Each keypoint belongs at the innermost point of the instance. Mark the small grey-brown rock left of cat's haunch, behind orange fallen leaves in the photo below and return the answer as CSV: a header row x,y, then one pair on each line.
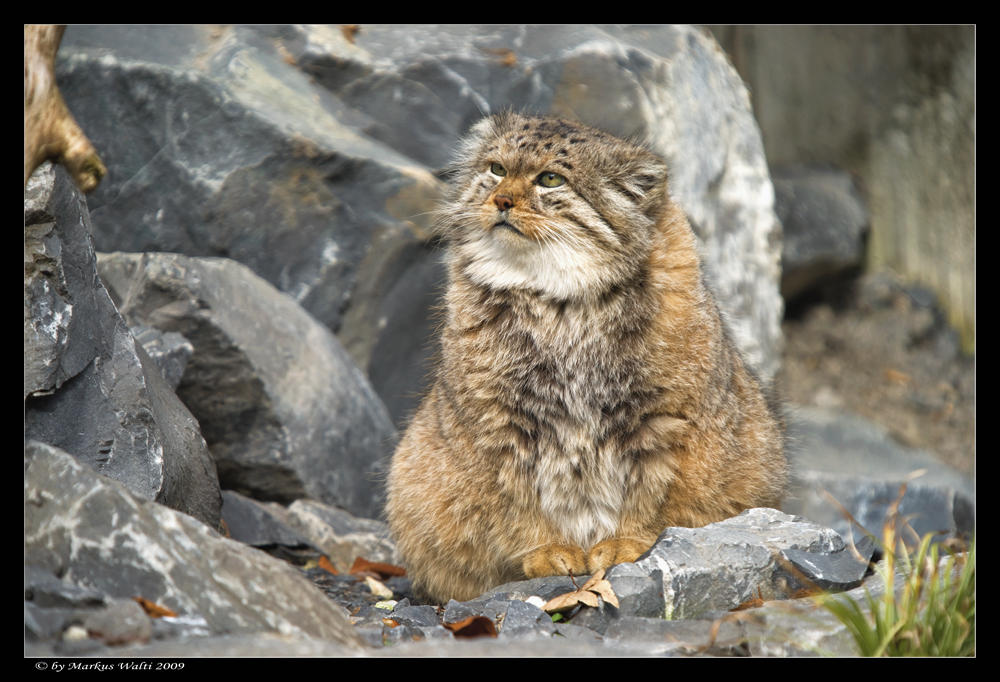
x,y
341,536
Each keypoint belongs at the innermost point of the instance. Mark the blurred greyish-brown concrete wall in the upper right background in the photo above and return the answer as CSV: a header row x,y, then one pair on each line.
x,y
894,105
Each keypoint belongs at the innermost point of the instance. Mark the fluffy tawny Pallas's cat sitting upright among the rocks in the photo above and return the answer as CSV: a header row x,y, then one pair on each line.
x,y
587,394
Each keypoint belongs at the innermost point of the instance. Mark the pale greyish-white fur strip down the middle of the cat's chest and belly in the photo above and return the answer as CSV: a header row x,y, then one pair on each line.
x,y
570,386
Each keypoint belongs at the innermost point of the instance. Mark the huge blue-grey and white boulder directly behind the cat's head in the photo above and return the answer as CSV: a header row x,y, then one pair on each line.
x,y
342,137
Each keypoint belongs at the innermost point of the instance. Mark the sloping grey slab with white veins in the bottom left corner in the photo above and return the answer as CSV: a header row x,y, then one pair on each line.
x,y
123,546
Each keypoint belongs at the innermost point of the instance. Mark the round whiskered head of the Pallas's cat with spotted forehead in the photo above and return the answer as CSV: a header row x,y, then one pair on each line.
x,y
552,207
